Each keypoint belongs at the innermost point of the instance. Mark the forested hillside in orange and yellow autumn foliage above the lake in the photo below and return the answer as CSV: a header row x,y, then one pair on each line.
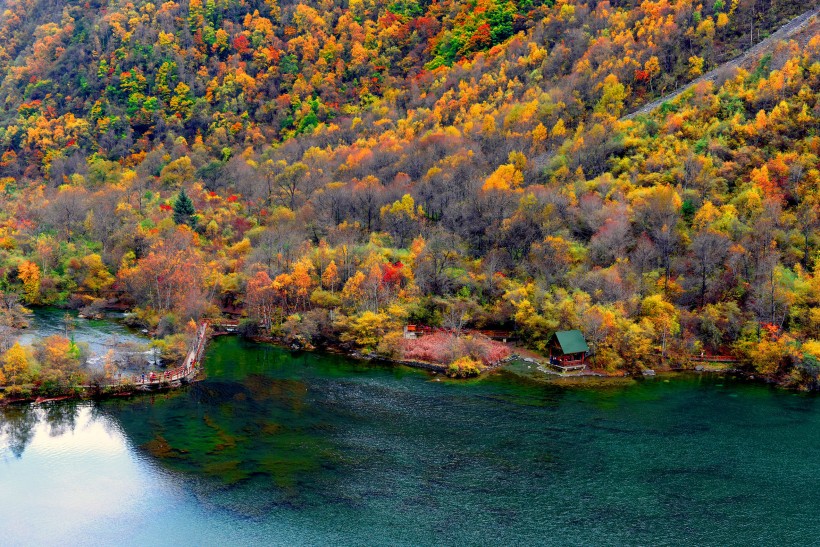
x,y
333,171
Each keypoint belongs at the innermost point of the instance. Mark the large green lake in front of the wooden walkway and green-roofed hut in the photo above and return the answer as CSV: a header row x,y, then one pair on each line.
x,y
314,449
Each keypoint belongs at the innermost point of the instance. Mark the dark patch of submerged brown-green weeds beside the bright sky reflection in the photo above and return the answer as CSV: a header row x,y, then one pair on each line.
x,y
250,436
